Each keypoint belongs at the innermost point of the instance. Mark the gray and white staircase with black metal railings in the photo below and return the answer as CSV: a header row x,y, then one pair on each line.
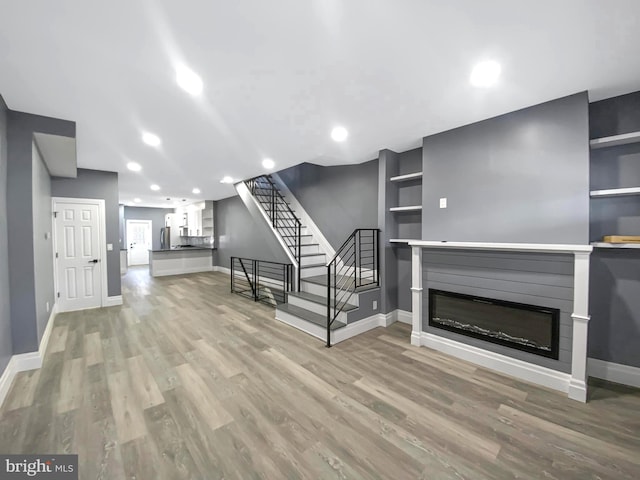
x,y
334,297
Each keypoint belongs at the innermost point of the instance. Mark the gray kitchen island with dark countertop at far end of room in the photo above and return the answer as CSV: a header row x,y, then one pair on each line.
x,y
177,261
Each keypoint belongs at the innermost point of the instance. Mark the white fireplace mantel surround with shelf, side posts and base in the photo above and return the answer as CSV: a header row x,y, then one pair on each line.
x,y
574,384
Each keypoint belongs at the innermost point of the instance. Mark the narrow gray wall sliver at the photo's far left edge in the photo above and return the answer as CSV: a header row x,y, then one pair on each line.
x,y
6,347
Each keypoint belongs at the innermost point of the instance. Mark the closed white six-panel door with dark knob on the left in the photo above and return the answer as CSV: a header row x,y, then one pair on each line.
x,y
78,263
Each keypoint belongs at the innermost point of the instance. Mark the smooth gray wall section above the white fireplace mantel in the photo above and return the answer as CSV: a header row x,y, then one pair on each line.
x,y
520,177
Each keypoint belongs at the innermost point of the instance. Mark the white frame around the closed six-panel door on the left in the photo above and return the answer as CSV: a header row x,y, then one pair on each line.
x,y
102,239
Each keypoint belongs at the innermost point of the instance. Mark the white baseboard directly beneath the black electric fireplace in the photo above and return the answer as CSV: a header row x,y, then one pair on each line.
x,y
501,363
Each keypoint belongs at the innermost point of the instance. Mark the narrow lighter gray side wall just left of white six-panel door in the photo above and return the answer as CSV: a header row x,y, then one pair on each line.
x,y
42,242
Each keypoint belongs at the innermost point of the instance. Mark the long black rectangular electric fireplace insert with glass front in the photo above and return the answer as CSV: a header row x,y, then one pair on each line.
x,y
525,327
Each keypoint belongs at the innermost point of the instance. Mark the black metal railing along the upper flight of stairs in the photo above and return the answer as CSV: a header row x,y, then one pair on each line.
x,y
279,212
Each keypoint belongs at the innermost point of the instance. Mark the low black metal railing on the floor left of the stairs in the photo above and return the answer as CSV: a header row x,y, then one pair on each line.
x,y
260,280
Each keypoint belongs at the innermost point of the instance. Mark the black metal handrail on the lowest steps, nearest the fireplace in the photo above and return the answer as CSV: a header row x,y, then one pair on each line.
x,y
356,264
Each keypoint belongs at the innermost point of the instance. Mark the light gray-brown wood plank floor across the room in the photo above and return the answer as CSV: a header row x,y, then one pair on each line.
x,y
188,381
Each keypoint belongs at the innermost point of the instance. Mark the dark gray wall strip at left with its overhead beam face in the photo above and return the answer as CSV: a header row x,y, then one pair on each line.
x,y
21,127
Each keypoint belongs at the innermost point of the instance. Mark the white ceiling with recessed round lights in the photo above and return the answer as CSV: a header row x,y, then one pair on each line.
x,y
278,75
